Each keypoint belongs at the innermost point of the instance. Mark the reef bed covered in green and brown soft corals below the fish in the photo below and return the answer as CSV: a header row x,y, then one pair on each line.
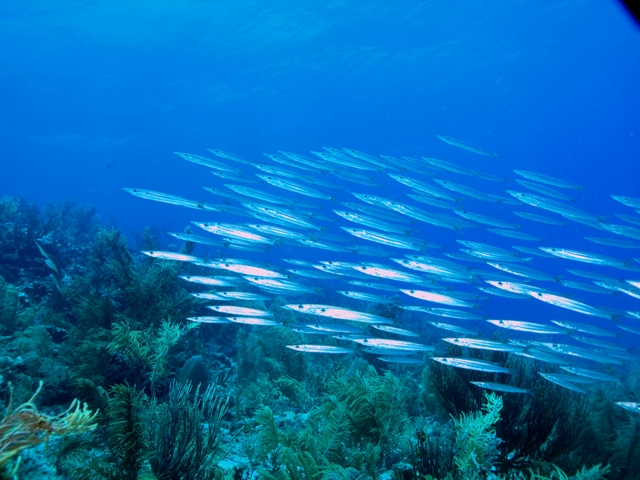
x,y
103,378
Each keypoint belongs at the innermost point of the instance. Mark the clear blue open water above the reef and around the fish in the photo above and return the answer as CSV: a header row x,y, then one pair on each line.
x,y
97,97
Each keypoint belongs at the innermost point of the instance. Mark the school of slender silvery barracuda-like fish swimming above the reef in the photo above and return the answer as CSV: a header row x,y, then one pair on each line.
x,y
320,220
